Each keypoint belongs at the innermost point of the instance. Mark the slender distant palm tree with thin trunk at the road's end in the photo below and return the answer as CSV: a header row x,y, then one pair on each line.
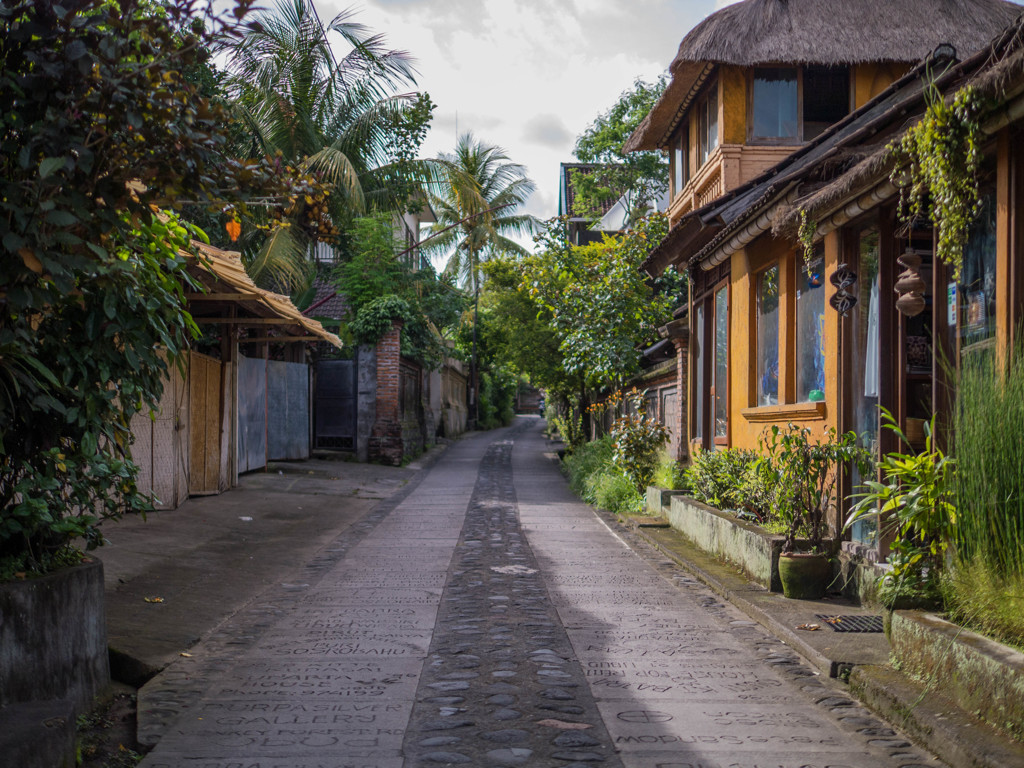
x,y
477,212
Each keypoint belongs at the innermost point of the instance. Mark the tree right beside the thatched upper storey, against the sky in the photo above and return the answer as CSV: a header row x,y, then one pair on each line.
x,y
639,178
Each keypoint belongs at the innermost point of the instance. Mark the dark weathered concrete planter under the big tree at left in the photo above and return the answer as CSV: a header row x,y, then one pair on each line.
x,y
54,637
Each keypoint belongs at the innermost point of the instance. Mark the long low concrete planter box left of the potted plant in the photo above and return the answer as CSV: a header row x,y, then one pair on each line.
x,y
721,535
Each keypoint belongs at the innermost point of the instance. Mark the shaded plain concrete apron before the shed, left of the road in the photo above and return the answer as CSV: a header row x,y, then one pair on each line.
x,y
174,578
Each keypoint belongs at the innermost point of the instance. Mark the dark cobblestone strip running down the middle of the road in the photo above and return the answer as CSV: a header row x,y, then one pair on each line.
x,y
502,688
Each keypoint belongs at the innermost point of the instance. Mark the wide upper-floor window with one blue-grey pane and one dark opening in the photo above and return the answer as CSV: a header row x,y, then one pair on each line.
x,y
790,104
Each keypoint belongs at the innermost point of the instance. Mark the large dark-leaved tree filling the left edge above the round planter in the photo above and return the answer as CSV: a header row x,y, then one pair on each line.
x,y
99,132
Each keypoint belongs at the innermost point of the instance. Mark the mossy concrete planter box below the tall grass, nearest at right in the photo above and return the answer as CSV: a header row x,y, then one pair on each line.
x,y
982,675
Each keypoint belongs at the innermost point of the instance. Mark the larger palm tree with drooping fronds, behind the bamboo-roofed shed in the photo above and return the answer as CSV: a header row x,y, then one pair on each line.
x,y
333,119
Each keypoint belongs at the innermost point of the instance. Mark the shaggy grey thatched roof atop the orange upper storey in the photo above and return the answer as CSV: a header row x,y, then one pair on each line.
x,y
820,32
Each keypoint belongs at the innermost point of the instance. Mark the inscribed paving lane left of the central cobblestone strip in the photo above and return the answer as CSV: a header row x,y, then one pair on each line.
x,y
323,673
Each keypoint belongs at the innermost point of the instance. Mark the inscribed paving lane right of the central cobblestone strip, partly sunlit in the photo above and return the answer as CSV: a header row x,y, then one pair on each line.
x,y
681,679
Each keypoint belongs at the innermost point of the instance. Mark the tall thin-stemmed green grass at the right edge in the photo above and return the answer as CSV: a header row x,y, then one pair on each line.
x,y
989,444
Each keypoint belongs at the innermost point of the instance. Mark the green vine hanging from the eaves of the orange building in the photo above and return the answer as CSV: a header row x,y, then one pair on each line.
x,y
937,163
